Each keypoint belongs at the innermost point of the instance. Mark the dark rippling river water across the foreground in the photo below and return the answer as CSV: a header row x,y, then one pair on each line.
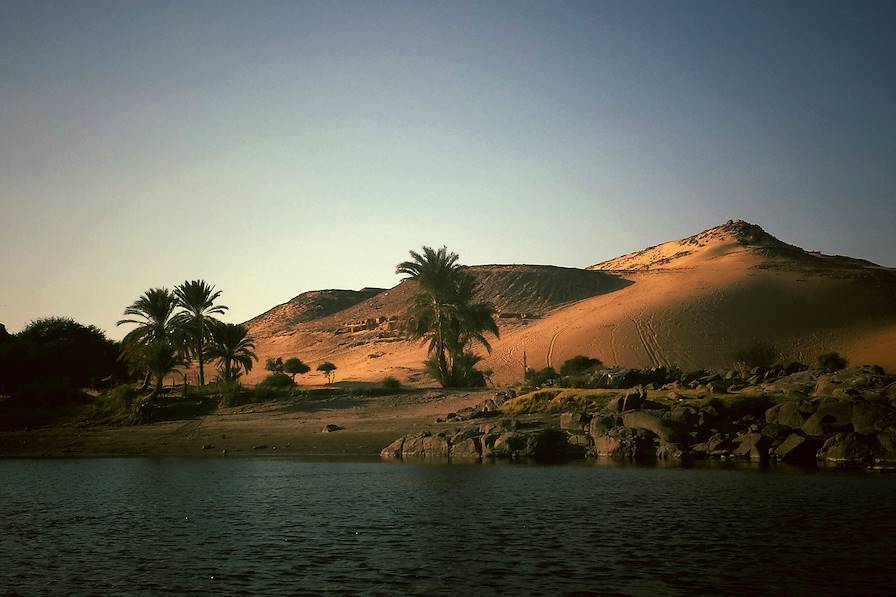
x,y
290,526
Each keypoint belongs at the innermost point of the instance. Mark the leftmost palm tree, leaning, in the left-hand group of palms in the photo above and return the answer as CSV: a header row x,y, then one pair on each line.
x,y
152,314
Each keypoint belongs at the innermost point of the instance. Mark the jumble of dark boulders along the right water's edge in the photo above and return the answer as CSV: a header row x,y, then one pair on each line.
x,y
811,418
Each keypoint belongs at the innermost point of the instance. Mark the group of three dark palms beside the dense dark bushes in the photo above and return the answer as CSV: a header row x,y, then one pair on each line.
x,y
179,326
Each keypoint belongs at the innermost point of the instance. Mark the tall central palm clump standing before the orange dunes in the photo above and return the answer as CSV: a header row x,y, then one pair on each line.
x,y
445,314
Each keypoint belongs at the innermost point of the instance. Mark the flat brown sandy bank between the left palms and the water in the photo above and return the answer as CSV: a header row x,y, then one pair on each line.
x,y
282,427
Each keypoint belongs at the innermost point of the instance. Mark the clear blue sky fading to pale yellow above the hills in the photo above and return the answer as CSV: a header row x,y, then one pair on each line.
x,y
277,147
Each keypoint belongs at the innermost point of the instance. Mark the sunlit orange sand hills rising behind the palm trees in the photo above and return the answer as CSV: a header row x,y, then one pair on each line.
x,y
693,302
